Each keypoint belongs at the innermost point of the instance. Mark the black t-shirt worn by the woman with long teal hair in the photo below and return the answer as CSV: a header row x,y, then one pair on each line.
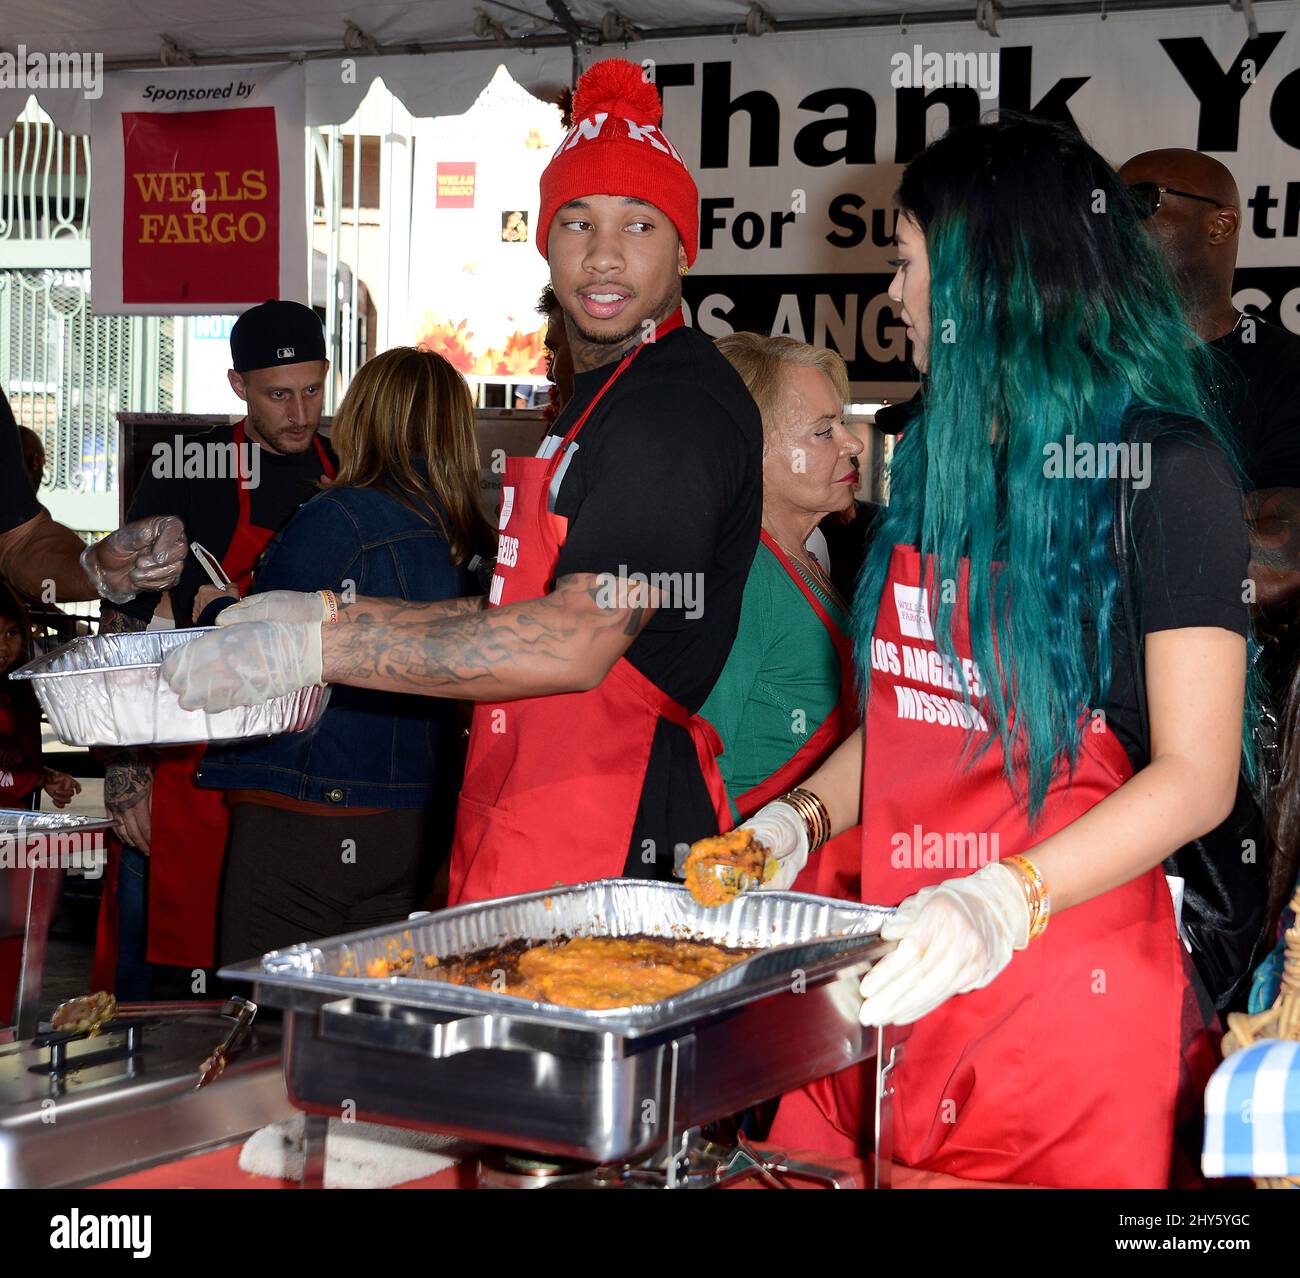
x,y
1188,560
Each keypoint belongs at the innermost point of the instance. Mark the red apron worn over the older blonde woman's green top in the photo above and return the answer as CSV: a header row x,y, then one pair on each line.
x,y
834,869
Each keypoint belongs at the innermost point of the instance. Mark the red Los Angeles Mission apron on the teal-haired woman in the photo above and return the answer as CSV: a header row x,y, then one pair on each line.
x,y
1064,1071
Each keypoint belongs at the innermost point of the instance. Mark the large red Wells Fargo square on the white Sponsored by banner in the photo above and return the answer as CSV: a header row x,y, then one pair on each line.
x,y
201,206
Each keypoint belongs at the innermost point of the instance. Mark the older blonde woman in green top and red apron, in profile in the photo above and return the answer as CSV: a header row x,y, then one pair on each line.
x,y
786,700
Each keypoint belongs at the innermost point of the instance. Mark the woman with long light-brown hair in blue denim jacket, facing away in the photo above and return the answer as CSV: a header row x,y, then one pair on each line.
x,y
344,828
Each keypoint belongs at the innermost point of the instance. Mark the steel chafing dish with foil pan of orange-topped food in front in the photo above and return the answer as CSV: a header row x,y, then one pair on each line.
x,y
595,1021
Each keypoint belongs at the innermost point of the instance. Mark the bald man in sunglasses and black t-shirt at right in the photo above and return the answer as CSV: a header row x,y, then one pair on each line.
x,y
1191,206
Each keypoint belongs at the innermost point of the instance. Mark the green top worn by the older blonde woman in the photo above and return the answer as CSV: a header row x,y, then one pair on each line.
x,y
781,681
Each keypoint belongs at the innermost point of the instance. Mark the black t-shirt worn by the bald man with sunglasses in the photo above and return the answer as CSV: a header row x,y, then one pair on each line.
x,y
1260,396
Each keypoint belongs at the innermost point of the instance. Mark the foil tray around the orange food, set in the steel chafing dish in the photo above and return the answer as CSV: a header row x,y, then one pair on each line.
x,y
795,930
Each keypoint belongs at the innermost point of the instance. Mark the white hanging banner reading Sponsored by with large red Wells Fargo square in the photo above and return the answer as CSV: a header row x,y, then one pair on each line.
x,y
206,190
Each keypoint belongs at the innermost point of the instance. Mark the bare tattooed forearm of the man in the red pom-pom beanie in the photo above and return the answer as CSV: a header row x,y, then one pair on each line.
x,y
565,642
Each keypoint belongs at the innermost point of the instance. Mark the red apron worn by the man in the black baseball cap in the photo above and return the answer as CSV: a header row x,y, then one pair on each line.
x,y
189,825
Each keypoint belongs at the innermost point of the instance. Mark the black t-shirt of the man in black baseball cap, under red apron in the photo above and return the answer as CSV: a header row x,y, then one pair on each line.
x,y
210,506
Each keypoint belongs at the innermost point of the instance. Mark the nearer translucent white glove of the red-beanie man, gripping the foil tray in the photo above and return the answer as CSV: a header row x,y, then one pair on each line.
x,y
245,665
